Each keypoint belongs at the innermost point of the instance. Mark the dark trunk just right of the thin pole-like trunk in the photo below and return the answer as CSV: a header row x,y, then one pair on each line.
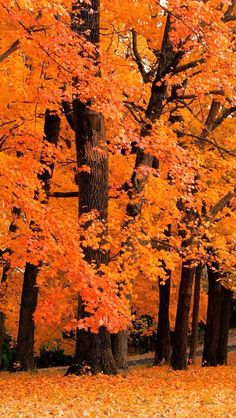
x,y
212,331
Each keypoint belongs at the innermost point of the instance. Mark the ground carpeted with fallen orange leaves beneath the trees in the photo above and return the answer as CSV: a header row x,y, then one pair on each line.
x,y
143,392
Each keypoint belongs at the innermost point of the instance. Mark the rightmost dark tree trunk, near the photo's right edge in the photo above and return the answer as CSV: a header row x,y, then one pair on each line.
x,y
226,305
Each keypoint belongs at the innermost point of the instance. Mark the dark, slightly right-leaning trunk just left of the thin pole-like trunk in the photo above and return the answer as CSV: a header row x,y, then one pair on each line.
x,y
179,353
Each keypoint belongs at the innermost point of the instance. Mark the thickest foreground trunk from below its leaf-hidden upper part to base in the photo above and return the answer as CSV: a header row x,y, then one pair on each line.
x,y
92,350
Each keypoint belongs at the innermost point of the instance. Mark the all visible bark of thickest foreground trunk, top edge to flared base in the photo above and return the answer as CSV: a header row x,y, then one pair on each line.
x,y
92,350
